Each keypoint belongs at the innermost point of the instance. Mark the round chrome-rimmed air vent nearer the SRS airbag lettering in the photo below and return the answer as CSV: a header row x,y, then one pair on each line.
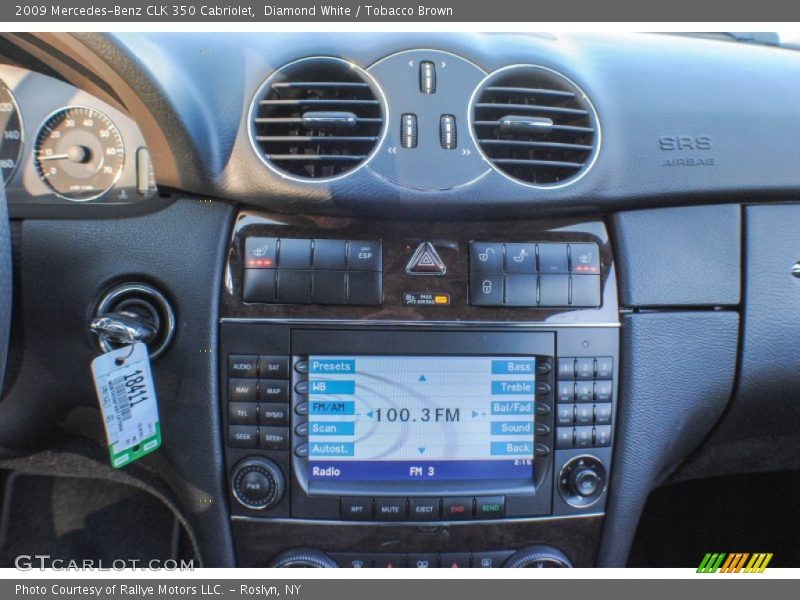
x,y
535,126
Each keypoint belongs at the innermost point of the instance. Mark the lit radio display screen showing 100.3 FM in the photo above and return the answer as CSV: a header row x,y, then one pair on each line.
x,y
420,418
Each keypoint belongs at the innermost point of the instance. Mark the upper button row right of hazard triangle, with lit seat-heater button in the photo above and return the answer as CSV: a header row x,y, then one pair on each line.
x,y
532,257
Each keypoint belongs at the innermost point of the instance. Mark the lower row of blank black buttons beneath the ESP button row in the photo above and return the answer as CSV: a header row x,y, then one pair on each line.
x,y
293,286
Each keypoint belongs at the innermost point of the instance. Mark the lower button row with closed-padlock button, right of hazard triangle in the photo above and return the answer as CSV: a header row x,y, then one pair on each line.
x,y
493,289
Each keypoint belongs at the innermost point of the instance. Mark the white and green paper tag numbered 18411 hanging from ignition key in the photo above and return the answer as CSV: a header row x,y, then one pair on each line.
x,y
128,403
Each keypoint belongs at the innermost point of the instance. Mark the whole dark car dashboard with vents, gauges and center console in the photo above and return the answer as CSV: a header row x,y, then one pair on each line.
x,y
418,300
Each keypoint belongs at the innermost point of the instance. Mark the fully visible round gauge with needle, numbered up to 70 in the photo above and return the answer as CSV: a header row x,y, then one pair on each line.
x,y
79,153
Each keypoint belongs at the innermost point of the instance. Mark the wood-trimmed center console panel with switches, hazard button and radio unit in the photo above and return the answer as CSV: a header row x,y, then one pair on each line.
x,y
446,388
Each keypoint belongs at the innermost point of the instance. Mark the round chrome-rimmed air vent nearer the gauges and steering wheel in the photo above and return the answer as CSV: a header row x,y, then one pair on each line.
x,y
317,119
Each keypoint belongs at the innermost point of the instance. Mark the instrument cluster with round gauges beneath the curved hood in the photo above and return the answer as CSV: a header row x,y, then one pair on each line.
x,y
60,145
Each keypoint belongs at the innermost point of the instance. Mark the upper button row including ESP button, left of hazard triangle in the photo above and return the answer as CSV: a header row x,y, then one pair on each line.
x,y
301,254
